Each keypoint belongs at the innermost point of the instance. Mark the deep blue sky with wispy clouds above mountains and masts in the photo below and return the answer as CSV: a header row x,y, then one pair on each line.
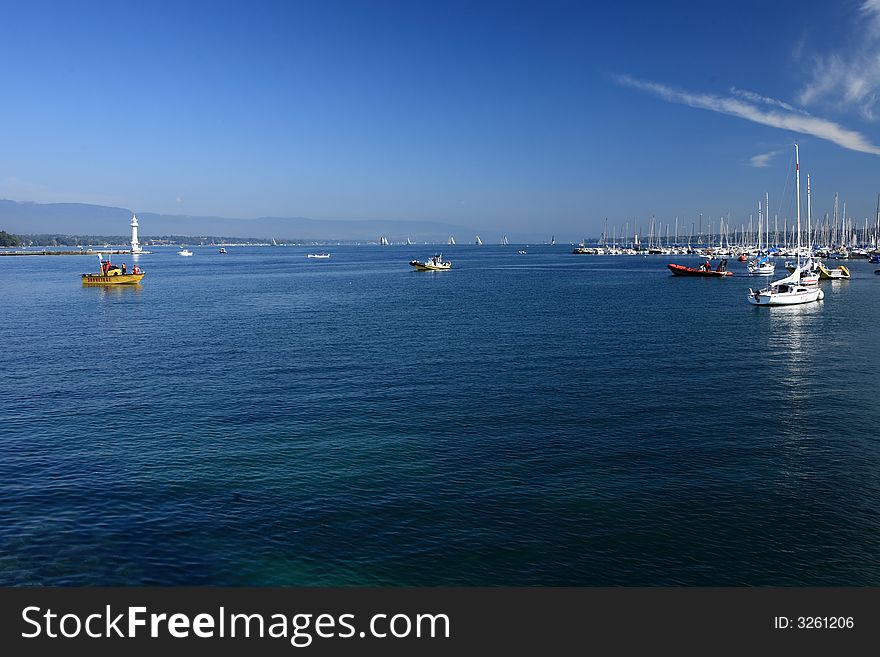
x,y
538,117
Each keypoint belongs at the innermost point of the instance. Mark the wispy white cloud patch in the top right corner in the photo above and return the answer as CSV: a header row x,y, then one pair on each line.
x,y
850,77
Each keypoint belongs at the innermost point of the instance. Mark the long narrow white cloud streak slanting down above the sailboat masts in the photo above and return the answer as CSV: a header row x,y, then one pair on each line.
x,y
776,118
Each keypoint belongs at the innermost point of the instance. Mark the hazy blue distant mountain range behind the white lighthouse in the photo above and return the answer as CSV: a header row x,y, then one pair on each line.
x,y
84,219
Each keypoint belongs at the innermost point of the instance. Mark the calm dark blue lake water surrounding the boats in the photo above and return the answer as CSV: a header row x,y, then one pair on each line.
x,y
258,418
